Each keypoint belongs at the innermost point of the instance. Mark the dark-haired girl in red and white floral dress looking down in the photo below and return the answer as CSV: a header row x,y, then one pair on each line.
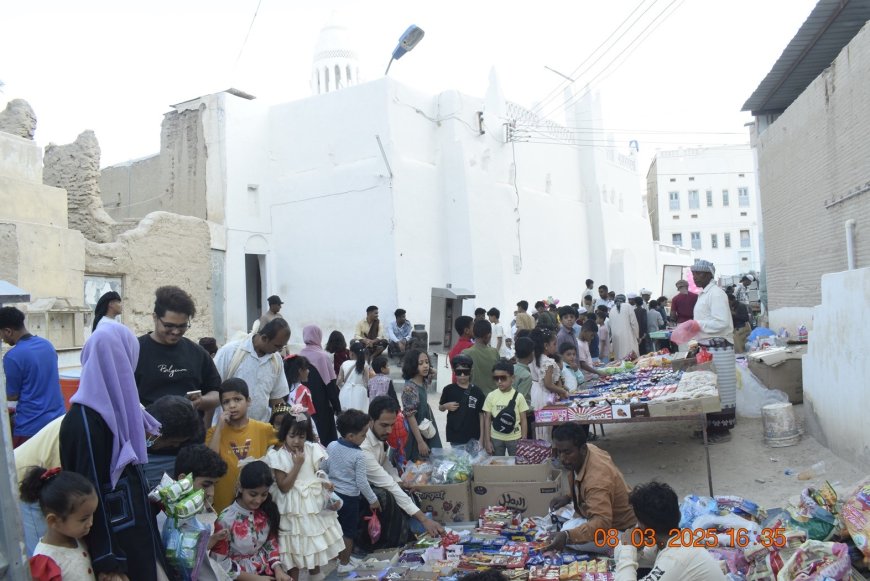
x,y
250,551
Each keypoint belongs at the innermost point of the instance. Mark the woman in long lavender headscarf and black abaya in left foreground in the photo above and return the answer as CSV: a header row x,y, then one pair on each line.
x,y
103,437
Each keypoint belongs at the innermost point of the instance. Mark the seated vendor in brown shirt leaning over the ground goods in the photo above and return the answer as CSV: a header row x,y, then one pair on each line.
x,y
598,490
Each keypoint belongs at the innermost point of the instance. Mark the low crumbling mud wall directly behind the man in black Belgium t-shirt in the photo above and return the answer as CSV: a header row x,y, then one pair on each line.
x,y
163,249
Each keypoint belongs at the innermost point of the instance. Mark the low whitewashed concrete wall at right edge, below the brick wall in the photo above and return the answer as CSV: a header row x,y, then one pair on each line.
x,y
836,366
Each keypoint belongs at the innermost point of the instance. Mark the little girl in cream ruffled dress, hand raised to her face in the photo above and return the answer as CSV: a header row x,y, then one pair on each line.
x,y
309,536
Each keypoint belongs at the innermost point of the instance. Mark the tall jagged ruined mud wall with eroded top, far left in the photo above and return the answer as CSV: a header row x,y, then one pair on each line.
x,y
75,167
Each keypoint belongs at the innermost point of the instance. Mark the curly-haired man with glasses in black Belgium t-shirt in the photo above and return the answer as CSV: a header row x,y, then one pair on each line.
x,y
170,363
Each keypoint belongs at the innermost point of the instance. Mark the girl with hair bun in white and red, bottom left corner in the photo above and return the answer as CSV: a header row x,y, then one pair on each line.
x,y
68,501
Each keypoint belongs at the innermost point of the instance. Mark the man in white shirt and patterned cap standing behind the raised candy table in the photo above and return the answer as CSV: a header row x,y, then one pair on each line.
x,y
713,315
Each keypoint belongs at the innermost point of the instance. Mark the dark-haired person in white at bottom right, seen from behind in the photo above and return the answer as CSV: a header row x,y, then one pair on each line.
x,y
658,514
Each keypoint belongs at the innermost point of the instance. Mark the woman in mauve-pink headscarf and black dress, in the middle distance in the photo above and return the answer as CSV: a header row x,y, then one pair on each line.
x,y
321,382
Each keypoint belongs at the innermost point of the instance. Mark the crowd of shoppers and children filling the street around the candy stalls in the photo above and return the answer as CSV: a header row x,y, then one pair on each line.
x,y
265,432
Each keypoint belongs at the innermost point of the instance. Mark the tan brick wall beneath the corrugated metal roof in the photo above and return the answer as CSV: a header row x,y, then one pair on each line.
x,y
816,151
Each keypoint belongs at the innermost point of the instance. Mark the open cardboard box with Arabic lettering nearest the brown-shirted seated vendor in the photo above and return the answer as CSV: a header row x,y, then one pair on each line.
x,y
529,498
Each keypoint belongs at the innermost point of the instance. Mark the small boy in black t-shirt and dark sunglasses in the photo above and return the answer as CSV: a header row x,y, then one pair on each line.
x,y
463,403
